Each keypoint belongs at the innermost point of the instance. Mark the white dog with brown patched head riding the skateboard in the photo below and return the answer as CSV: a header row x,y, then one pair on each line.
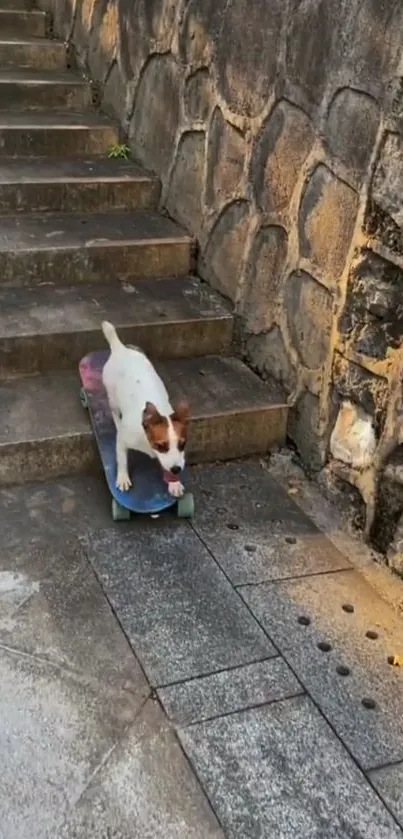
x,y
144,417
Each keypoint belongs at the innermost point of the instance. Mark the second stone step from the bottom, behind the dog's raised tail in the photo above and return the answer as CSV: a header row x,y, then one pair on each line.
x,y
51,328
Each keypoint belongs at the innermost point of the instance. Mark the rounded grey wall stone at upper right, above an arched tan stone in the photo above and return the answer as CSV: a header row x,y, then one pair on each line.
x,y
351,131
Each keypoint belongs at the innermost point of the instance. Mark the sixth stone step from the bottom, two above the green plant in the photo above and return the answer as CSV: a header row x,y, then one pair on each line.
x,y
37,89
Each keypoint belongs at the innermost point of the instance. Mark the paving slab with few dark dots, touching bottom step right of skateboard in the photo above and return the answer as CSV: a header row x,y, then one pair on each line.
x,y
255,530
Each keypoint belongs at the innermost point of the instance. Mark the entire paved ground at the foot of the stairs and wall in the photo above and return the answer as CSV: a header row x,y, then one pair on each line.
x,y
229,678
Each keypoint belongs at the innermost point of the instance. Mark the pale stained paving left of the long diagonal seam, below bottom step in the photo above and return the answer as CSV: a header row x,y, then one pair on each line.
x,y
83,752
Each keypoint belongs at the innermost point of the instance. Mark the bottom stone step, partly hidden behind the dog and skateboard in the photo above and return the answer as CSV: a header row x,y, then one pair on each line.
x,y
44,431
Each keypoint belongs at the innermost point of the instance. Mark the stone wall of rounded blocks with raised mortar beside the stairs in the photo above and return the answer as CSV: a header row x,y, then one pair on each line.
x,y
276,130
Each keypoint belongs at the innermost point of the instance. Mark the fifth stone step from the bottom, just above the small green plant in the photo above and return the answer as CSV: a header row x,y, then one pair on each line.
x,y
56,134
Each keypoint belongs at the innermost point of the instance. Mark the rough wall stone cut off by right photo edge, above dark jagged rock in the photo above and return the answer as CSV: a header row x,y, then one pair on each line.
x,y
387,186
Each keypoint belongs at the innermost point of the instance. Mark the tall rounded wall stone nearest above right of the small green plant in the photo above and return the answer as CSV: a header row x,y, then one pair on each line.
x,y
155,119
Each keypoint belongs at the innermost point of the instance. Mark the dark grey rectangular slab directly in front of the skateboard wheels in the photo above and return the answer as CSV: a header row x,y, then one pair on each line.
x,y
176,607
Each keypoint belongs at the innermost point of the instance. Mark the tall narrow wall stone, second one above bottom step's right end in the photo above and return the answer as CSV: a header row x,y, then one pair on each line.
x,y
263,275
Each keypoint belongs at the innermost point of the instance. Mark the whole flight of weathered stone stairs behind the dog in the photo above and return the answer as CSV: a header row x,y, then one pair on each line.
x,y
80,240
